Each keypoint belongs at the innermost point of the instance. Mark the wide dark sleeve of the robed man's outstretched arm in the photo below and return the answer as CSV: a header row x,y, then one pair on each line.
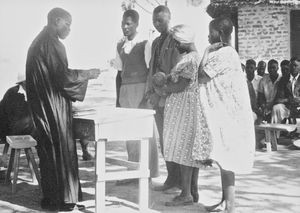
x,y
72,83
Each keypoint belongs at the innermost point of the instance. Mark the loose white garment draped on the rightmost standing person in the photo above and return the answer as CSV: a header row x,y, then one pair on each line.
x,y
225,102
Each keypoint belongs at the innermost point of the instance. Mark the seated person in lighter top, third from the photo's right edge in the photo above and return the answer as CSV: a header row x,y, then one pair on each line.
x,y
267,90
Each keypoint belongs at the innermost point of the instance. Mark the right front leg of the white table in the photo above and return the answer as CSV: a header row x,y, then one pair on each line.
x,y
144,180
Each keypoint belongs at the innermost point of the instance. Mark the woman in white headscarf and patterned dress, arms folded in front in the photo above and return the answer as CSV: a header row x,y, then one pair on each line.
x,y
180,114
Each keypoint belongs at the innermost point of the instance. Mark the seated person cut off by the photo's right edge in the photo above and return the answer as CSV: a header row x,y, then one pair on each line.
x,y
294,87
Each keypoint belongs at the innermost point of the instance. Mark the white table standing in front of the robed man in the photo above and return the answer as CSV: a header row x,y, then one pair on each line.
x,y
120,124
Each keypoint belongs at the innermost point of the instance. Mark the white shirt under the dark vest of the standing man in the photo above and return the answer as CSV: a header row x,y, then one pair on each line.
x,y
127,46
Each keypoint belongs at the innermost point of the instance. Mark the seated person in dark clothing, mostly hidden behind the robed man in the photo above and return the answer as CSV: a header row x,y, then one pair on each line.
x,y
15,116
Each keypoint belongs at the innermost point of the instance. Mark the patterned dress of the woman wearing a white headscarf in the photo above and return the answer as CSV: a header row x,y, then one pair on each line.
x,y
180,114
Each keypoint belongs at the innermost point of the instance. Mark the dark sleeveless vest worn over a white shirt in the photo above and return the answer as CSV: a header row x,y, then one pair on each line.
x,y
134,65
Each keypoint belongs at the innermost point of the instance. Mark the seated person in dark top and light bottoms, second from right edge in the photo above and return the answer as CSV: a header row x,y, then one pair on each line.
x,y
281,111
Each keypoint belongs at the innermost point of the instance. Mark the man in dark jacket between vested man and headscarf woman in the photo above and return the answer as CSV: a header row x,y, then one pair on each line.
x,y
164,57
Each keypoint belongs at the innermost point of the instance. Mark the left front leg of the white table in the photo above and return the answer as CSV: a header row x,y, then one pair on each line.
x,y
100,175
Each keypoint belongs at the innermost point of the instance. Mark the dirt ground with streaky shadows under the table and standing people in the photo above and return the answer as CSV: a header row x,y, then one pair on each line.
x,y
273,187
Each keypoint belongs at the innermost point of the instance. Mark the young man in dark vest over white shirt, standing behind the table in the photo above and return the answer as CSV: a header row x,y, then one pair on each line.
x,y
132,62
